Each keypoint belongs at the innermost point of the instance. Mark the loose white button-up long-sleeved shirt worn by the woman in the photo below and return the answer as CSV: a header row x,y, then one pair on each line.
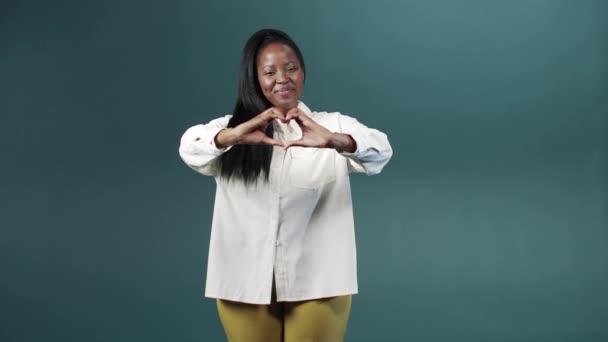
x,y
298,225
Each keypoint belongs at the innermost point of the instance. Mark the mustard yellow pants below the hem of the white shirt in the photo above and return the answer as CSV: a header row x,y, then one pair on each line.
x,y
320,320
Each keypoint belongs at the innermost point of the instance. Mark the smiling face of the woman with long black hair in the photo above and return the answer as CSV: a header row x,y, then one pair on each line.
x,y
280,75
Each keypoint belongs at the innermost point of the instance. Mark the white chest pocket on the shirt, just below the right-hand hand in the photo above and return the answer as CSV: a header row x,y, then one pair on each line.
x,y
311,168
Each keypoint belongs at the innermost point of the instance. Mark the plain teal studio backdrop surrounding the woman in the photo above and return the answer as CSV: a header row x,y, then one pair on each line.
x,y
489,224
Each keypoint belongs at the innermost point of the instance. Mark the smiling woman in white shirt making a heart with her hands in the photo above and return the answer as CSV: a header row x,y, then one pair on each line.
x,y
282,258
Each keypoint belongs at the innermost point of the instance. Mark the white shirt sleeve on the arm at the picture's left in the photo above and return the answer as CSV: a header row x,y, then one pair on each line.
x,y
197,146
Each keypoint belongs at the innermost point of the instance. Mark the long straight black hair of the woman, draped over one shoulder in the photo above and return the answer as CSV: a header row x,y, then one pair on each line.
x,y
248,162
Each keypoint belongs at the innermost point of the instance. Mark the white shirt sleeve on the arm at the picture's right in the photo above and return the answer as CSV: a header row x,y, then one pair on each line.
x,y
373,149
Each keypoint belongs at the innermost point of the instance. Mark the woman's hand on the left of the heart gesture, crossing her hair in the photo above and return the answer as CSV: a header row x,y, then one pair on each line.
x,y
250,132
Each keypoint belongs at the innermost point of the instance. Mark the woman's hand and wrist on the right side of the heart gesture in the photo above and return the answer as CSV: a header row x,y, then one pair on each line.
x,y
315,135
